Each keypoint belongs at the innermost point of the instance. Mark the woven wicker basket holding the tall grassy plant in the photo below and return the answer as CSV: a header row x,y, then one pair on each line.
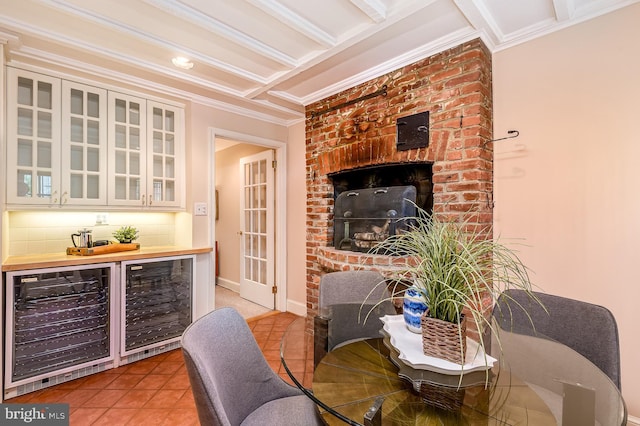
x,y
441,339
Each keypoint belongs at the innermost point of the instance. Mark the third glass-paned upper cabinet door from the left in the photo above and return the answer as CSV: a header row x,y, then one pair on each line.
x,y
127,155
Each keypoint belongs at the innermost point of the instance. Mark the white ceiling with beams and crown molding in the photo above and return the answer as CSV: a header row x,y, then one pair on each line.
x,y
266,58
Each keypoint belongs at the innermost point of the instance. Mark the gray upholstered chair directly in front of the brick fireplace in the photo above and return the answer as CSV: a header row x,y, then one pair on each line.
x,y
340,319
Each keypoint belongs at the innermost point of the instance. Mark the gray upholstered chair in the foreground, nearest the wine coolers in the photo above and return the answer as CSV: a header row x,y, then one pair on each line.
x,y
232,382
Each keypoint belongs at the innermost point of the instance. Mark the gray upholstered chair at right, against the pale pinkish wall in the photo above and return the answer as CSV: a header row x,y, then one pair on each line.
x,y
588,329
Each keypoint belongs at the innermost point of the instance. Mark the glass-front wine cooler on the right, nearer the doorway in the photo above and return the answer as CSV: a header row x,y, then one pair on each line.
x,y
156,305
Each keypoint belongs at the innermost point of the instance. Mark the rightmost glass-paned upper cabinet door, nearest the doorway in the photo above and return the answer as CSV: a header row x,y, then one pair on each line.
x,y
164,124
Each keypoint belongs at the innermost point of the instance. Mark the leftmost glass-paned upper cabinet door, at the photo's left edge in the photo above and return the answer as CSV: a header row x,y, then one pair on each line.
x,y
33,138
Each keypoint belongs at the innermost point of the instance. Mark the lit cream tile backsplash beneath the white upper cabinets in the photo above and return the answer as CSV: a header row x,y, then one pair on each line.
x,y
50,232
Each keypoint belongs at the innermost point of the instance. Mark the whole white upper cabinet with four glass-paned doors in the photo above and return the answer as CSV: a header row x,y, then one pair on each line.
x,y
71,144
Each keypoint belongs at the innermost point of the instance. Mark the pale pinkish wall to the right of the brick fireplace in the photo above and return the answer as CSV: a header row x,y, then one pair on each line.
x,y
568,185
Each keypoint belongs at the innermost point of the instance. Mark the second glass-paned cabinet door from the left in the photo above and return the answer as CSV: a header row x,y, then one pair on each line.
x,y
84,144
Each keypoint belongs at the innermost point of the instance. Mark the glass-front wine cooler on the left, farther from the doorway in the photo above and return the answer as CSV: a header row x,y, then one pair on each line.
x,y
59,325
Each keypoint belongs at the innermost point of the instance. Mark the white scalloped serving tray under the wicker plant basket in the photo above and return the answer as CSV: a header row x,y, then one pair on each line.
x,y
409,345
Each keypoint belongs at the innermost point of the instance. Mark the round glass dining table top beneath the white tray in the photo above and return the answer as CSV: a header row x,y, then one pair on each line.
x,y
533,381
